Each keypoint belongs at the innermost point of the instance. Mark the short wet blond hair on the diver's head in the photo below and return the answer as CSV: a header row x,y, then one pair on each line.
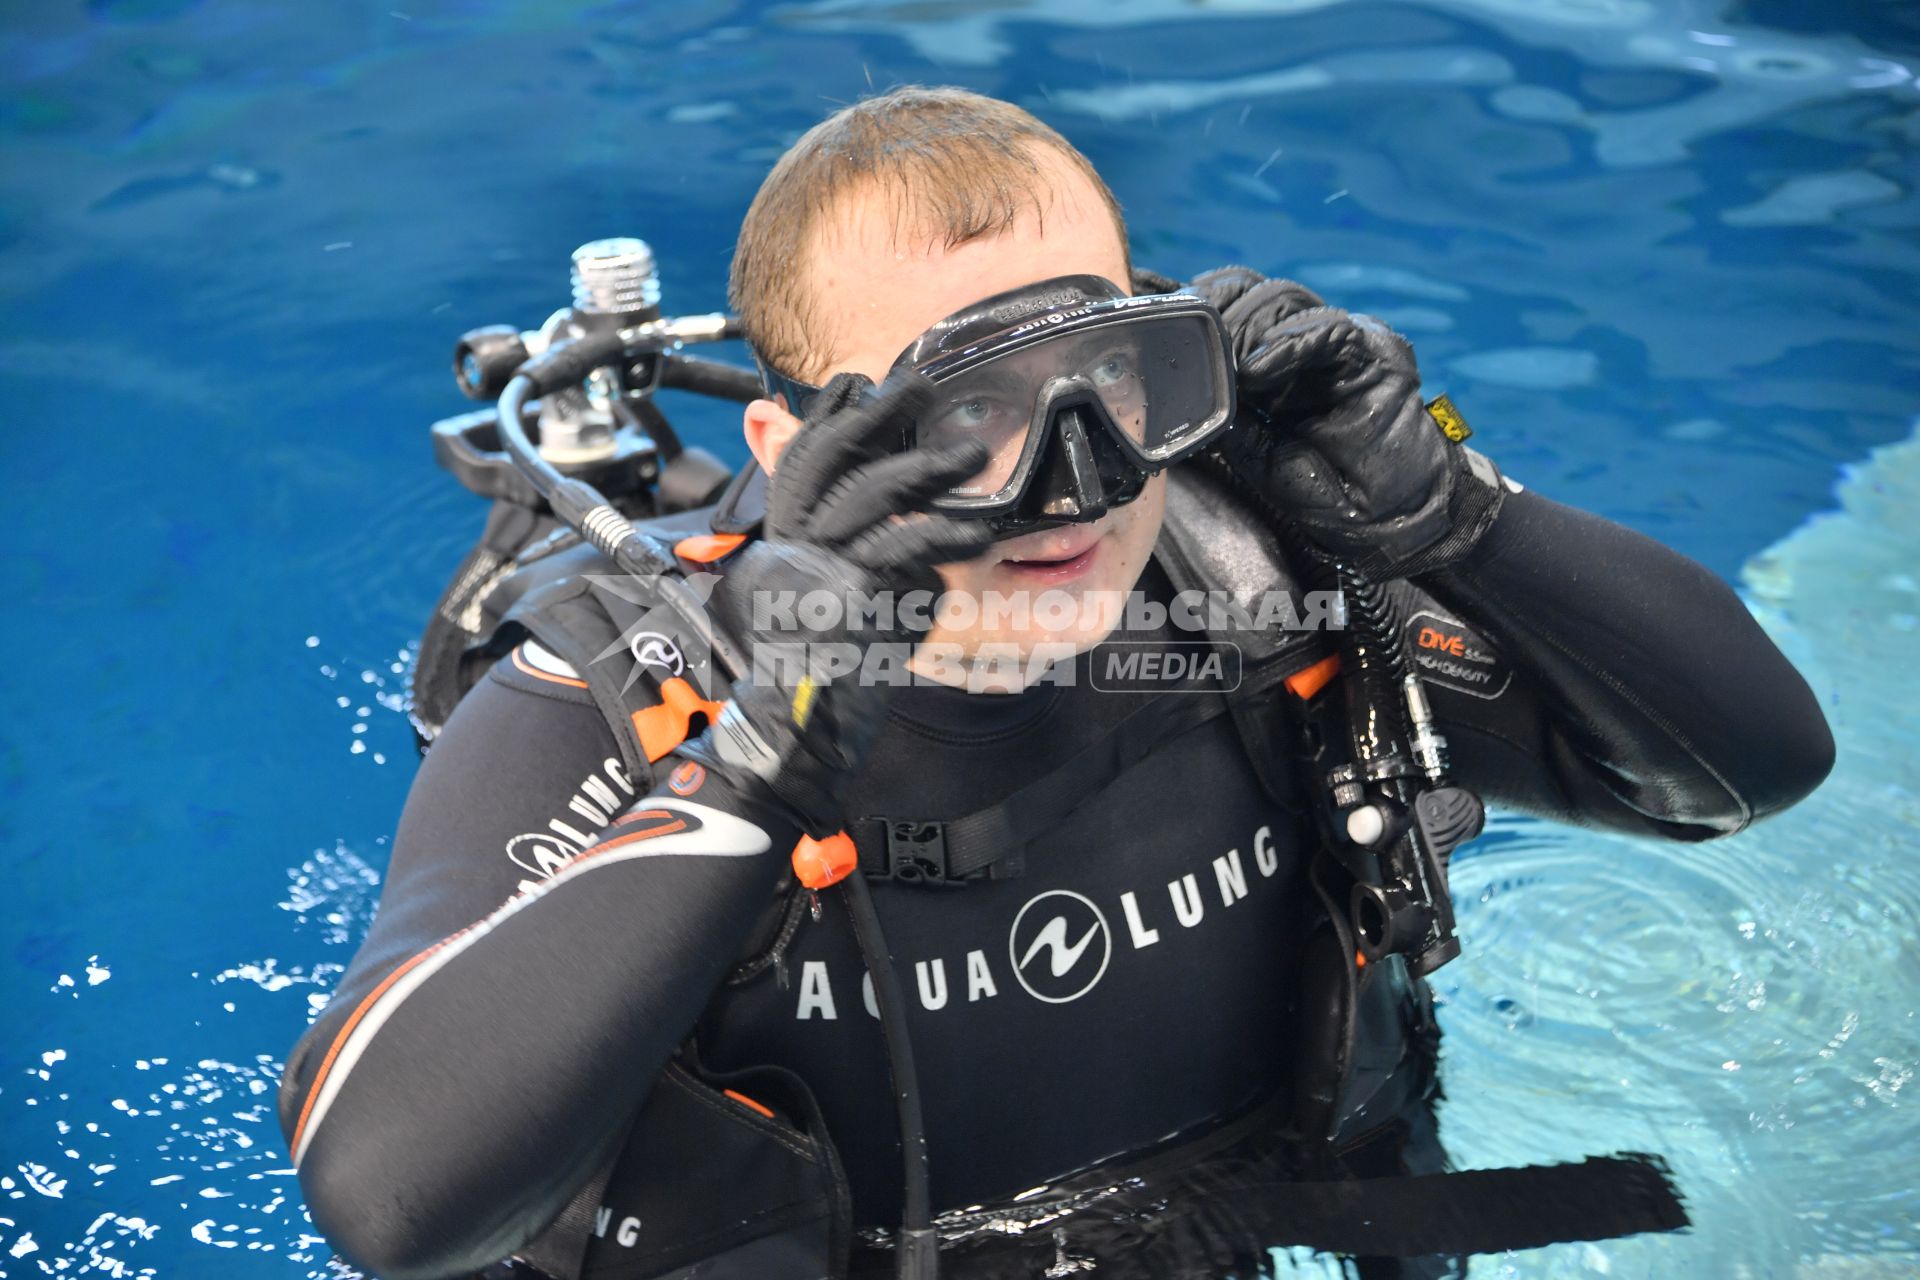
x,y
961,166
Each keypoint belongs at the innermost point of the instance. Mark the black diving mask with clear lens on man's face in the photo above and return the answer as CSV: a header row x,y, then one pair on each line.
x,y
1078,391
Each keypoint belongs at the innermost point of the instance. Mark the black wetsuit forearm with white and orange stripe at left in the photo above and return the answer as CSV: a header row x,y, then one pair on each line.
x,y
450,1114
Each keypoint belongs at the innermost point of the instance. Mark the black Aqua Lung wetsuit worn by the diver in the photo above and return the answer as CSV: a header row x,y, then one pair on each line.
x,y
454,1093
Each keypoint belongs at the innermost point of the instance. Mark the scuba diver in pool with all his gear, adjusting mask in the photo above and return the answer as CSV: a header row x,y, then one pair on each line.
x,y
754,918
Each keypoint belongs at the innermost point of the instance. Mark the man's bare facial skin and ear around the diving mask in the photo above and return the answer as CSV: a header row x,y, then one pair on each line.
x,y
875,296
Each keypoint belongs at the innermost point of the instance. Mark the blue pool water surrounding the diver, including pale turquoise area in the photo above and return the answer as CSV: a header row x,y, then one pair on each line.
x,y
1662,252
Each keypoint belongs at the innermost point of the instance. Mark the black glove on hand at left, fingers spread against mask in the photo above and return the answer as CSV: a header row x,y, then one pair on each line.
x,y
846,519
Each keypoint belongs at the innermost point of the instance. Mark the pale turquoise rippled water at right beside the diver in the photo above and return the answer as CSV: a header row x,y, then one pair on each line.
x,y
1744,1007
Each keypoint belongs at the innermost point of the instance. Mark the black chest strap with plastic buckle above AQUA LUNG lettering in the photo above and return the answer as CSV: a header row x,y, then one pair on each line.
x,y
992,840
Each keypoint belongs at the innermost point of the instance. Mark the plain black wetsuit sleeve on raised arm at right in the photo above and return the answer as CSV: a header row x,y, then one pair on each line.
x,y
1662,705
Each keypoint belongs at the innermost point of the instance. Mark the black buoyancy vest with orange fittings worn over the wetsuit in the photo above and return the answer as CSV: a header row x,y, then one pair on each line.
x,y
779,1200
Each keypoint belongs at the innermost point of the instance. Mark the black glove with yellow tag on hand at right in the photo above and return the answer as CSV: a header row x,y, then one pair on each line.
x,y
1335,433
